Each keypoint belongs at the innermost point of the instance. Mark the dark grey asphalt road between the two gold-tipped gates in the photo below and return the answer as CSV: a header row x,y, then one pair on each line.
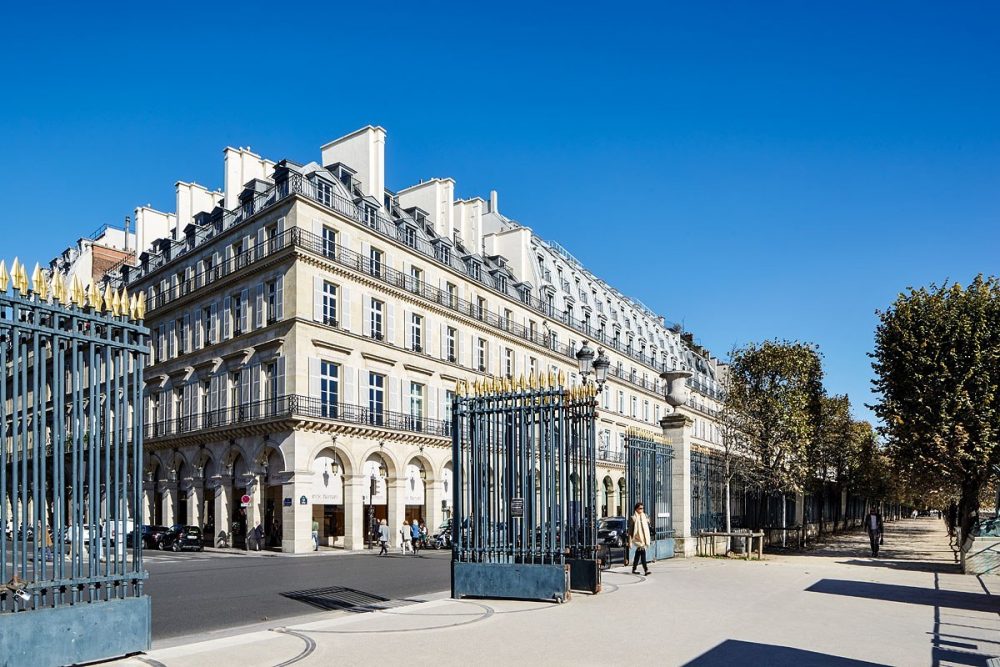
x,y
197,593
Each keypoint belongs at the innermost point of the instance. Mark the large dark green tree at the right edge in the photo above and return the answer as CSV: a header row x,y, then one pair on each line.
x,y
937,366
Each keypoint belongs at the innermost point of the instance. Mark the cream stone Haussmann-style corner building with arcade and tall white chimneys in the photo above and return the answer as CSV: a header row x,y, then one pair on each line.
x,y
309,327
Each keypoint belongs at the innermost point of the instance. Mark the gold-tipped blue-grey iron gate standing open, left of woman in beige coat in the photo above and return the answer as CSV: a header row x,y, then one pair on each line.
x,y
524,489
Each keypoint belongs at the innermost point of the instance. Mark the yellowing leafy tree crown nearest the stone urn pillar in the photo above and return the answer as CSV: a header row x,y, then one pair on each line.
x,y
774,392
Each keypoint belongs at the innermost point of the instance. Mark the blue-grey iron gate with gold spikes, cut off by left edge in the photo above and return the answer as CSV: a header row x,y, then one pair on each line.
x,y
70,462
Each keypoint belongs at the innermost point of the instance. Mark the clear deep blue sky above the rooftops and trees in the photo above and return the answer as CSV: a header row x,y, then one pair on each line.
x,y
755,170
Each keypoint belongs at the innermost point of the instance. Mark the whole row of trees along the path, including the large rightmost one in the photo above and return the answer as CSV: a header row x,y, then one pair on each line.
x,y
937,376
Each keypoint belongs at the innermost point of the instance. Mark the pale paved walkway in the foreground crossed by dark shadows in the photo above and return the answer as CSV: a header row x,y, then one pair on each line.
x,y
832,606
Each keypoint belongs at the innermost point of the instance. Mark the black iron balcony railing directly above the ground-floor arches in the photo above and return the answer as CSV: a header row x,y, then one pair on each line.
x,y
293,405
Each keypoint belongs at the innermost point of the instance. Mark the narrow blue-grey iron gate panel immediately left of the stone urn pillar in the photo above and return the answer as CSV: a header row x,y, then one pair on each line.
x,y
648,474
